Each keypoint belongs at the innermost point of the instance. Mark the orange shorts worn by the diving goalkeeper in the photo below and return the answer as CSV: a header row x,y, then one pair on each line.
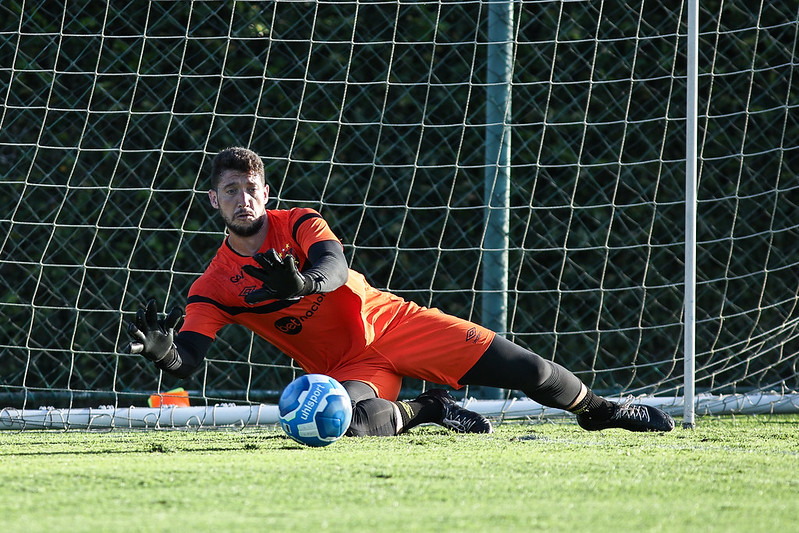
x,y
420,343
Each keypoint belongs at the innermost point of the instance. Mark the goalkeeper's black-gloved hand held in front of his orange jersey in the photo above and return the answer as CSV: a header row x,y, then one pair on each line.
x,y
280,278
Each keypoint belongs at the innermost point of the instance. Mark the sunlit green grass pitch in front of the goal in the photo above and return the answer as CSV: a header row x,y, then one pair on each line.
x,y
729,474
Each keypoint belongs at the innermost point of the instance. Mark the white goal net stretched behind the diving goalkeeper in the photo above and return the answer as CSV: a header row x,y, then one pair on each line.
x,y
413,127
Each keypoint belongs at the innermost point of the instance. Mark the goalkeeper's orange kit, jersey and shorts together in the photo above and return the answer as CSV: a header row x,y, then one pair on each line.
x,y
353,332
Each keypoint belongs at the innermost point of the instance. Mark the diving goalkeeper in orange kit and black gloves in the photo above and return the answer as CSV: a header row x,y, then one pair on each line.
x,y
283,275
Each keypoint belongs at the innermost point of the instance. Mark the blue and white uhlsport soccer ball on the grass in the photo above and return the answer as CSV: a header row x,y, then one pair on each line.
x,y
315,410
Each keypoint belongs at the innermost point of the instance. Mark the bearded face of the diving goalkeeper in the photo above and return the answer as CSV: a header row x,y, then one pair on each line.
x,y
241,200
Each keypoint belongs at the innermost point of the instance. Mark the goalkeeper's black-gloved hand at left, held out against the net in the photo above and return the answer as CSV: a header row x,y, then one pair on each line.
x,y
151,337
